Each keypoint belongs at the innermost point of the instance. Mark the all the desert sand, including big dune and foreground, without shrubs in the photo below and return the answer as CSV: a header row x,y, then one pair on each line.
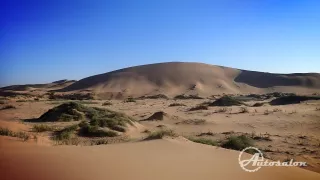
x,y
282,132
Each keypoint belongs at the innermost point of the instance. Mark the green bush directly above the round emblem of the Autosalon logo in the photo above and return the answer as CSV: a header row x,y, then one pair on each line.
x,y
237,142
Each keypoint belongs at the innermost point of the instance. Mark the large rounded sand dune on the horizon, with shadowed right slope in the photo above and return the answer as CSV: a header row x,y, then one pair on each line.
x,y
192,78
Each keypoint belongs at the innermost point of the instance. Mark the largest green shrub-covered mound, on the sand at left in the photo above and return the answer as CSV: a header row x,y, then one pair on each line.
x,y
94,120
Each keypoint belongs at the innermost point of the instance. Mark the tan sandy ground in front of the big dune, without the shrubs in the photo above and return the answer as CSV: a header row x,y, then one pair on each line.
x,y
293,130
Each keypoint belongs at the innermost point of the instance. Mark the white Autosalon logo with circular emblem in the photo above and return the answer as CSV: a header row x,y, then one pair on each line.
x,y
257,161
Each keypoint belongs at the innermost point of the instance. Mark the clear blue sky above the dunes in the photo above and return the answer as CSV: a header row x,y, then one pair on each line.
x,y
48,40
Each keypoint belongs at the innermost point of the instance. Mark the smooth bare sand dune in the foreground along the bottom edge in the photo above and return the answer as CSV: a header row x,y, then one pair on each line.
x,y
158,159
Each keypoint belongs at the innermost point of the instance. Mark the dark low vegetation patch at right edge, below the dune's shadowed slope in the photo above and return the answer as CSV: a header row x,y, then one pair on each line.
x,y
293,99
